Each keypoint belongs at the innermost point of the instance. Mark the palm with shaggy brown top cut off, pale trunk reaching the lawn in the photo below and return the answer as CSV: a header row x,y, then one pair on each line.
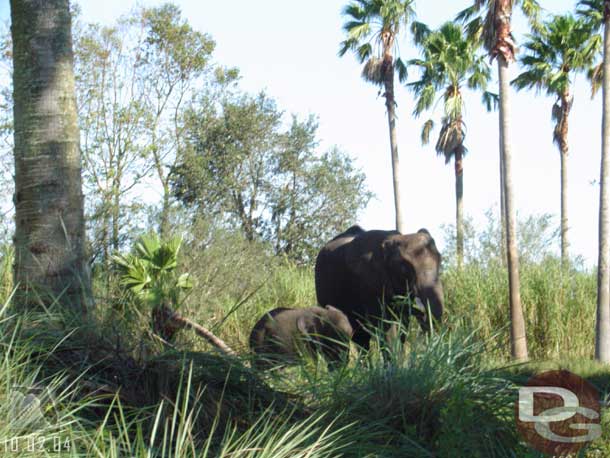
x,y
491,24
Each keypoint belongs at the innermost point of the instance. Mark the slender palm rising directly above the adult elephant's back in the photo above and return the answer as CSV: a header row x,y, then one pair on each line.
x,y
372,28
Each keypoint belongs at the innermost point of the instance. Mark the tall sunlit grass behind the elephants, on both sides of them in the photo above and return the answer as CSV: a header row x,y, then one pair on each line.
x,y
559,306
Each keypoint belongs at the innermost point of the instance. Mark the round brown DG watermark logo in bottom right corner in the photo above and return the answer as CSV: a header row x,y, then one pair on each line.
x,y
558,412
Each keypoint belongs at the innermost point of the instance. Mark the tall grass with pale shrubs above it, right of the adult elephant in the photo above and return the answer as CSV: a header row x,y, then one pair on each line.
x,y
559,305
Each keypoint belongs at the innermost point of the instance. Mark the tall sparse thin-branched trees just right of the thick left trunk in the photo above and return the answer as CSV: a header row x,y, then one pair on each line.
x,y
132,124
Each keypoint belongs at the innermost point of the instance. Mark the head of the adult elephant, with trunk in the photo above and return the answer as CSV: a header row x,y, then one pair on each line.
x,y
412,265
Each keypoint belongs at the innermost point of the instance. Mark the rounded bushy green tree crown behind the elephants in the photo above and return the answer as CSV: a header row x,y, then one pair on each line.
x,y
242,168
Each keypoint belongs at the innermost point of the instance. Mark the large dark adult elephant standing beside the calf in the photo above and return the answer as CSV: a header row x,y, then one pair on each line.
x,y
361,272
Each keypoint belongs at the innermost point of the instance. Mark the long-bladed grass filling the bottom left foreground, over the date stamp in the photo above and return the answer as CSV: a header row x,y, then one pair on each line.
x,y
73,412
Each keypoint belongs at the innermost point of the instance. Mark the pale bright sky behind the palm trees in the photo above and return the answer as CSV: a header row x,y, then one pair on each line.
x,y
290,50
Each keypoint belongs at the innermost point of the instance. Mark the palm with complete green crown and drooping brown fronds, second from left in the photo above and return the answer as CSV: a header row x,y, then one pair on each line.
x,y
449,63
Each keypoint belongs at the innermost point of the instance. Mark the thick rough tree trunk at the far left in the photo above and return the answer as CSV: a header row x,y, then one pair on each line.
x,y
50,228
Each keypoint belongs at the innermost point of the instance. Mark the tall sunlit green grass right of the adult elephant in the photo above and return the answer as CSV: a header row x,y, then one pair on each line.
x,y
559,307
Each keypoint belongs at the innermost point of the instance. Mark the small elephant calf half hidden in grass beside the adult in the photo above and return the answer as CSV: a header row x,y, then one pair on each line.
x,y
283,332
